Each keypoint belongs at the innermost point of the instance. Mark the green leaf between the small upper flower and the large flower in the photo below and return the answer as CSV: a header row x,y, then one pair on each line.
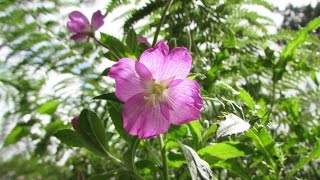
x,y
118,49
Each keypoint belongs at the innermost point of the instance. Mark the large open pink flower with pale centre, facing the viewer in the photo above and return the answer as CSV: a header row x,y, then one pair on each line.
x,y
155,90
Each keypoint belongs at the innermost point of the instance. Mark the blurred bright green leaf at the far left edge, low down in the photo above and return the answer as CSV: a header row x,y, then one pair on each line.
x,y
15,135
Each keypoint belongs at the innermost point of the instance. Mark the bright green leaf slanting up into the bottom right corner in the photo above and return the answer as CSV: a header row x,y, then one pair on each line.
x,y
315,154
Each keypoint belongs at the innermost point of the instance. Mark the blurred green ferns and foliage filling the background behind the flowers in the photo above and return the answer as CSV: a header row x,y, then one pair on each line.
x,y
271,80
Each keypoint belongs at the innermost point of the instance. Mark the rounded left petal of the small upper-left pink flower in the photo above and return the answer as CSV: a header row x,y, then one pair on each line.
x,y
78,22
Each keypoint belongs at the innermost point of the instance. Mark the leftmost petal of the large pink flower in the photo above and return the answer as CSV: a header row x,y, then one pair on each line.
x,y
128,82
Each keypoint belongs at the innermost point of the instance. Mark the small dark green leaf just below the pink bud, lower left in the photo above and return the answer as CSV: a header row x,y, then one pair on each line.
x,y
69,137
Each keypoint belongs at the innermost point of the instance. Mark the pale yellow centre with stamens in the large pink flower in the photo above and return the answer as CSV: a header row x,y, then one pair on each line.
x,y
155,92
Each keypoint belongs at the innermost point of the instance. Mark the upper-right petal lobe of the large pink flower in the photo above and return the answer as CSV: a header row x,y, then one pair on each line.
x,y
177,64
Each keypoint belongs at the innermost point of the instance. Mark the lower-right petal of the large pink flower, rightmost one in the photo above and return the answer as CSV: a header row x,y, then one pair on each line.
x,y
185,101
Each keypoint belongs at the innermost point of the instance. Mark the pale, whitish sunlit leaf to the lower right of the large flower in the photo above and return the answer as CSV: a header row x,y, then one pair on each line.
x,y
232,125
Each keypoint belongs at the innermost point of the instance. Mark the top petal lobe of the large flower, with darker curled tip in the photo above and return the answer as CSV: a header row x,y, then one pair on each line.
x,y
153,58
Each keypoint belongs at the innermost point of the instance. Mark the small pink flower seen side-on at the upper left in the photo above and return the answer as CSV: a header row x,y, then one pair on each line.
x,y
81,26
